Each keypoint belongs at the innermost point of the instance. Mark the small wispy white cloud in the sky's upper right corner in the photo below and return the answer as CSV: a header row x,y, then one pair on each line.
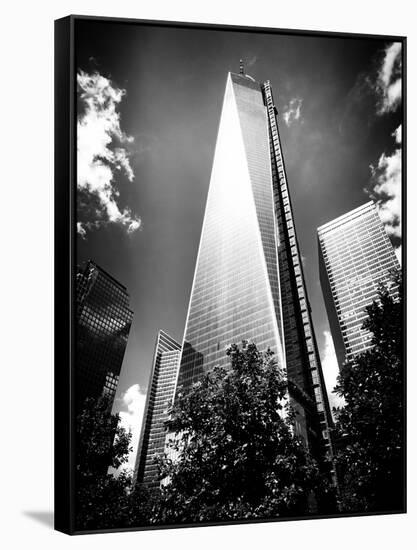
x,y
388,84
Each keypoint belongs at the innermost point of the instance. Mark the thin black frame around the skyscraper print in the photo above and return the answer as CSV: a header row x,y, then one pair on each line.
x,y
65,250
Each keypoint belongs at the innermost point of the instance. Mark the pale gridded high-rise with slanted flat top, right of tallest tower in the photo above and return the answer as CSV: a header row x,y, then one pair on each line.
x,y
355,256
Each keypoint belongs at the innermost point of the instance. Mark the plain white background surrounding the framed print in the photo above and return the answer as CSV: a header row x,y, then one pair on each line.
x,y
26,116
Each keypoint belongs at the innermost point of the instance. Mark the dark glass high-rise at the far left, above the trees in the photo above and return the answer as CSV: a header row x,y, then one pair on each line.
x,y
102,330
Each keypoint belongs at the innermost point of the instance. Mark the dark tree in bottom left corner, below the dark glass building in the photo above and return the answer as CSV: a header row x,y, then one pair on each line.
x,y
104,501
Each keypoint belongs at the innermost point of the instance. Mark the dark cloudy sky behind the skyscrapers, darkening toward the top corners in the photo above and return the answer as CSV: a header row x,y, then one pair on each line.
x,y
148,108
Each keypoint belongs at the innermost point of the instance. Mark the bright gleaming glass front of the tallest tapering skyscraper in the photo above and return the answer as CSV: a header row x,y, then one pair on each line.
x,y
235,292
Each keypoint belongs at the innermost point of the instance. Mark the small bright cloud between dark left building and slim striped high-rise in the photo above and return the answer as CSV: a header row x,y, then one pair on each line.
x,y
133,403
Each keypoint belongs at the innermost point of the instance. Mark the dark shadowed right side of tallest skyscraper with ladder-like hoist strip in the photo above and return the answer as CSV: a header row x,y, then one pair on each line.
x,y
305,376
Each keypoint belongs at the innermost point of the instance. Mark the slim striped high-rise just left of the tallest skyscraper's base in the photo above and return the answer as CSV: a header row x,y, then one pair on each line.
x,y
158,402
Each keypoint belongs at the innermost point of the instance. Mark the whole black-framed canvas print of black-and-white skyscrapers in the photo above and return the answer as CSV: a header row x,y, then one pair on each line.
x,y
229,274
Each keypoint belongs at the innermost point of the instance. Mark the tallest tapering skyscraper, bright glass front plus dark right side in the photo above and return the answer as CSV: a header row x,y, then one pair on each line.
x,y
248,281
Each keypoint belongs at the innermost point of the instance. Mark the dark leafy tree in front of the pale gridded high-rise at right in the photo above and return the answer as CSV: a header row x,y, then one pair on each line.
x,y
370,427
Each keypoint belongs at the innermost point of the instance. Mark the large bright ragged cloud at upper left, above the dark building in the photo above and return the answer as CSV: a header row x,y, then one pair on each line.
x,y
101,151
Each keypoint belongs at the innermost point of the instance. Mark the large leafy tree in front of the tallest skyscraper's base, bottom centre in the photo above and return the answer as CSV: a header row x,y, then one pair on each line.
x,y
236,455
